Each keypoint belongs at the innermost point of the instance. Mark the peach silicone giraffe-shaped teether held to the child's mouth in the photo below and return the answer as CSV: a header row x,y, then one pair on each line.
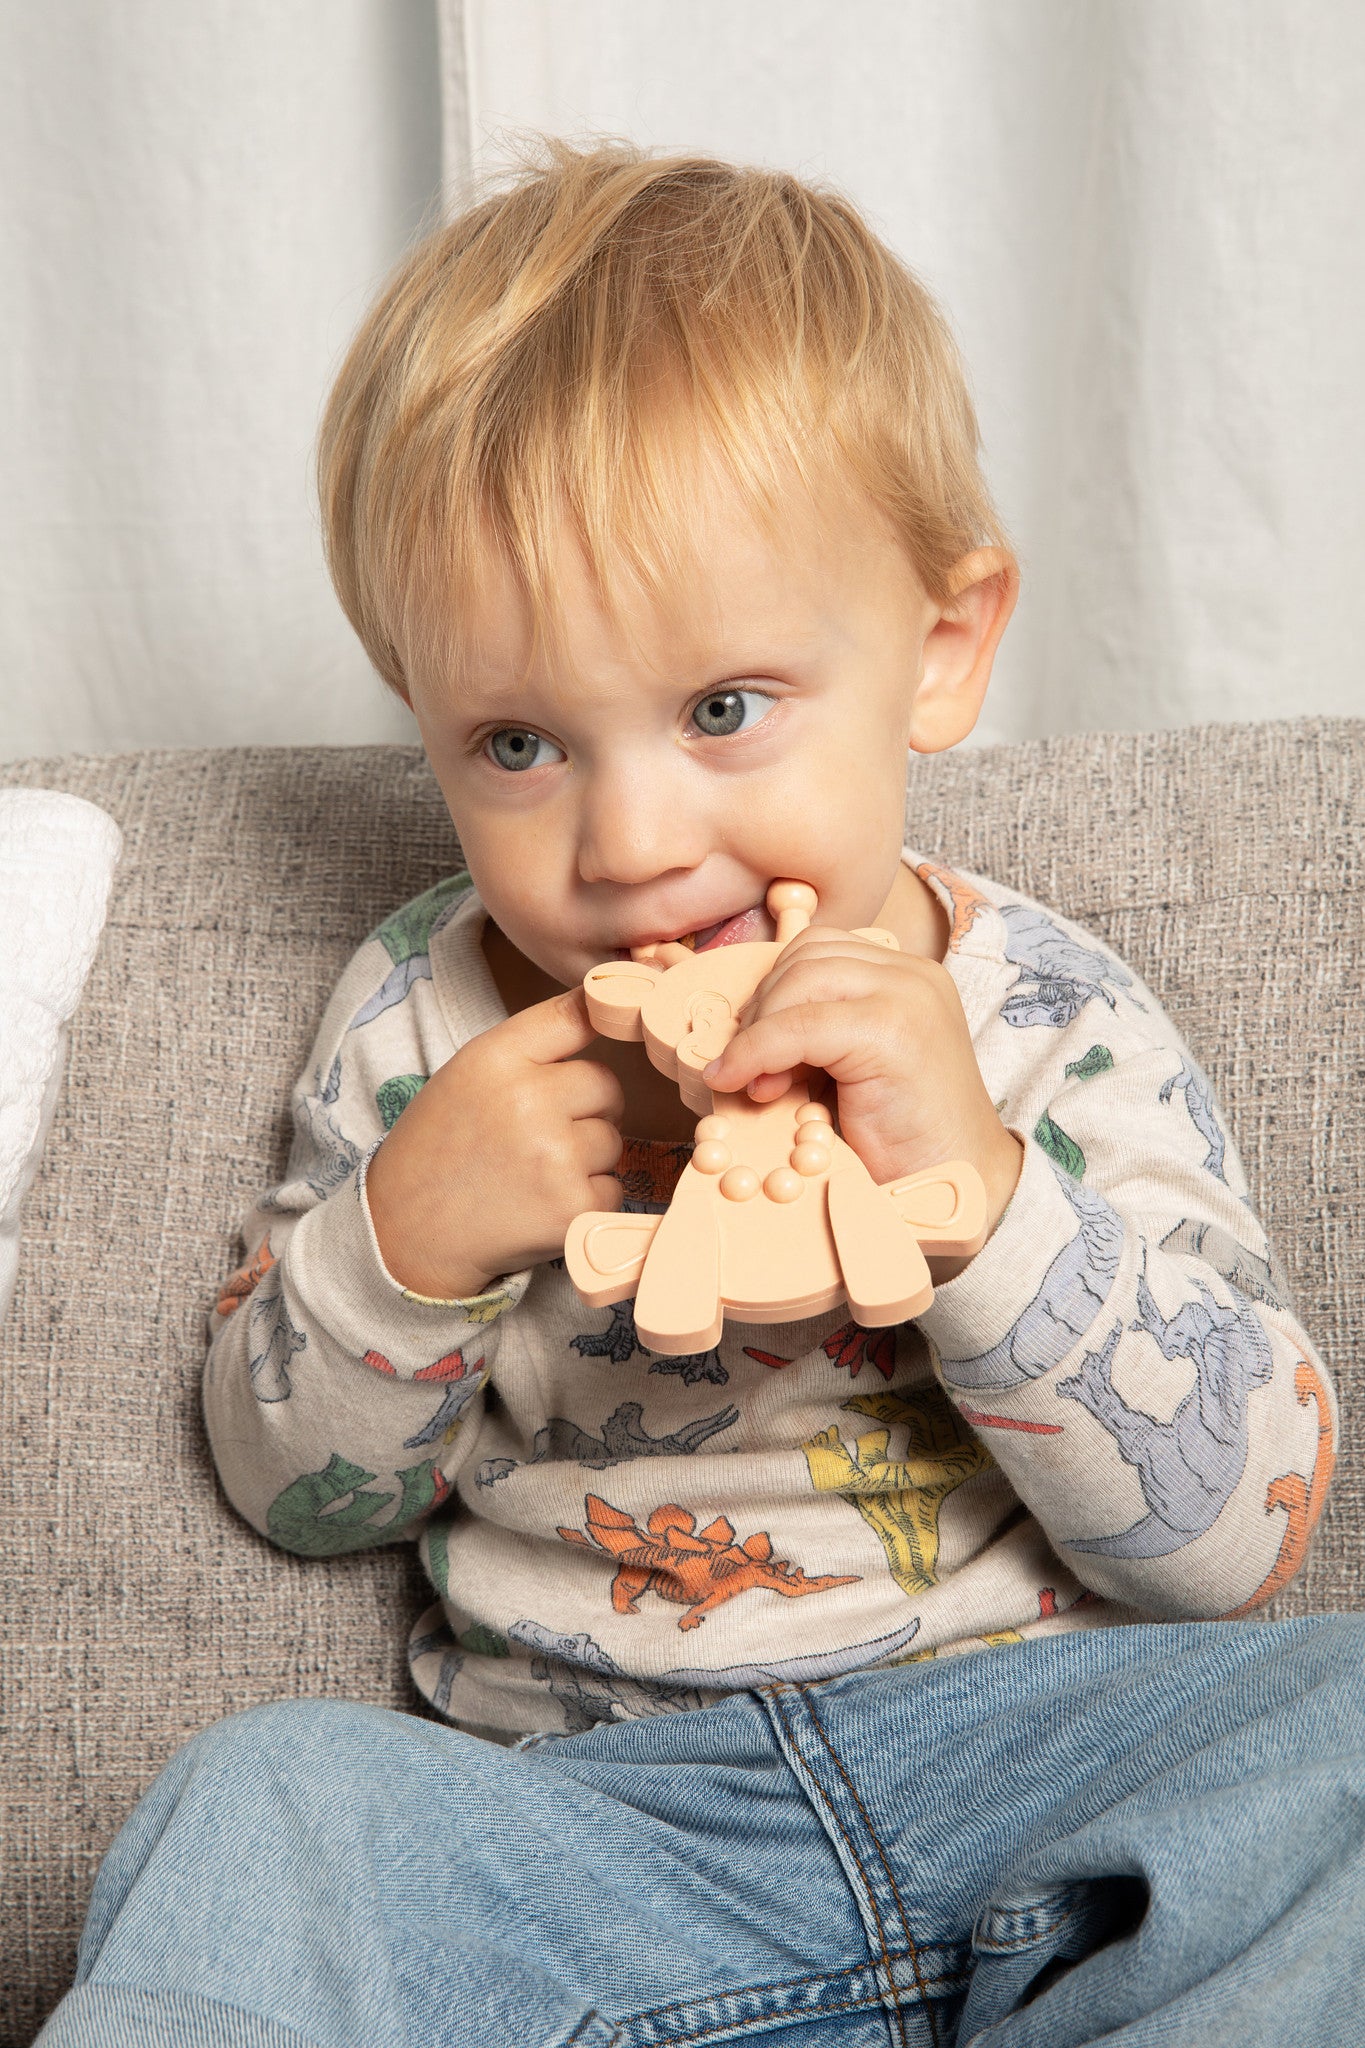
x,y
775,1218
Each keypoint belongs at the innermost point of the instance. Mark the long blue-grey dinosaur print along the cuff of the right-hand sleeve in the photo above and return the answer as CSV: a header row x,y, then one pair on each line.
x,y
1073,1293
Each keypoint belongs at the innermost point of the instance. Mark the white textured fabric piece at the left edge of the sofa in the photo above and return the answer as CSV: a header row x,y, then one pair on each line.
x,y
56,863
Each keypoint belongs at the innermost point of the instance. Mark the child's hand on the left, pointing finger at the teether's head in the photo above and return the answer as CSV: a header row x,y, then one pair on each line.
x,y
490,1164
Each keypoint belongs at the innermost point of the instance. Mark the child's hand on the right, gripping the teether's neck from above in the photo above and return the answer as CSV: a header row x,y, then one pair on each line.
x,y
891,1031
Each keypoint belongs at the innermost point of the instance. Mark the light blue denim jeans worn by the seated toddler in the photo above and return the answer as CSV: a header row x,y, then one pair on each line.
x,y
1131,1836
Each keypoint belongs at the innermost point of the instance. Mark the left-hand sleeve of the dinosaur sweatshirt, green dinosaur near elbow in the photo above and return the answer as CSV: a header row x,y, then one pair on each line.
x,y
335,1398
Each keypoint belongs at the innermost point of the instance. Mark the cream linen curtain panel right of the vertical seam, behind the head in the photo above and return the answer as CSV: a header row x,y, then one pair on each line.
x,y
1145,222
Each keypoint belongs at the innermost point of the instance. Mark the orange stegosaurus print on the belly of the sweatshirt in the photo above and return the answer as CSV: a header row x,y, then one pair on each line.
x,y
697,1570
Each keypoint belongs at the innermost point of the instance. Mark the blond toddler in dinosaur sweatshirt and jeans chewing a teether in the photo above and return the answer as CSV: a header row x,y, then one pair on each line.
x,y
652,486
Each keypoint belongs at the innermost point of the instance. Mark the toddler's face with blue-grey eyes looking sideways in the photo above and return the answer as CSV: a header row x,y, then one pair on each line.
x,y
756,730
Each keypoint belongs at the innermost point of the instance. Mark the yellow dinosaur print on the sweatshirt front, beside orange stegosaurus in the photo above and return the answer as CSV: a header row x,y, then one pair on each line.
x,y
901,1498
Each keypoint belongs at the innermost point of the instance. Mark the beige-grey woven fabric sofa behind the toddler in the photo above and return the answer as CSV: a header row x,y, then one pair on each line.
x,y
1225,863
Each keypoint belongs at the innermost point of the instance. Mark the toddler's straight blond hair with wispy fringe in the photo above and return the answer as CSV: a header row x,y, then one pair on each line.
x,y
574,341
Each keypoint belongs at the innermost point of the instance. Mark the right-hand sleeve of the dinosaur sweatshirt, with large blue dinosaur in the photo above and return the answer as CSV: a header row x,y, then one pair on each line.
x,y
1125,1342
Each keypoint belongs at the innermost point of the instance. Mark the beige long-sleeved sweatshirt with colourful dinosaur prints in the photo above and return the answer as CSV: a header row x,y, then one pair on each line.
x,y
1110,1416
